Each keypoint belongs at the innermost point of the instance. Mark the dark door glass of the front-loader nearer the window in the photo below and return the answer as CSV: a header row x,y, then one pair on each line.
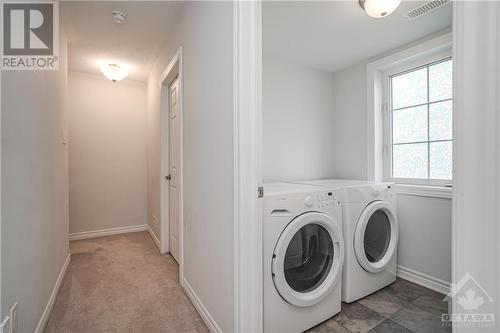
x,y
377,236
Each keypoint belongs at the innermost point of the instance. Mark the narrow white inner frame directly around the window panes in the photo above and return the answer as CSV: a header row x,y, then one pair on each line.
x,y
424,61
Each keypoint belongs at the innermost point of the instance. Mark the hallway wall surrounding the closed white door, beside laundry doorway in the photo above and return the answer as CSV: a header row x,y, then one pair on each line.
x,y
205,31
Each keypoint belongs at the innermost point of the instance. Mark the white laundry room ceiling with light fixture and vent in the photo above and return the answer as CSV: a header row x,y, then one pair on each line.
x,y
332,35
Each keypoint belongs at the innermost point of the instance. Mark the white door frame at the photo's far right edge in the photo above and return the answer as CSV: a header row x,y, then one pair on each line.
x,y
476,167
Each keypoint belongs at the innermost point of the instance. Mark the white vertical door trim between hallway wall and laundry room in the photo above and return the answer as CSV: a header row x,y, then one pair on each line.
x,y
247,145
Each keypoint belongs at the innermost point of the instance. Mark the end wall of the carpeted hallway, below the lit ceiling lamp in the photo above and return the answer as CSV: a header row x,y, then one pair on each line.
x,y
107,153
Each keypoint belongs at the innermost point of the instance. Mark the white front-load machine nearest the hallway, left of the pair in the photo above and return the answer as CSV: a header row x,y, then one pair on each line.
x,y
303,254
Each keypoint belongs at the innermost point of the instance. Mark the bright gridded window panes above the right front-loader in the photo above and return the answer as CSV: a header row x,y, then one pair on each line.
x,y
419,124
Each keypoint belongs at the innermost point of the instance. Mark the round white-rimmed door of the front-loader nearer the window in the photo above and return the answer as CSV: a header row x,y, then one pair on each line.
x,y
376,236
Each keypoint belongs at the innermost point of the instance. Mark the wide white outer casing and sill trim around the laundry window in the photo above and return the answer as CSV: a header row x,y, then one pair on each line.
x,y
436,48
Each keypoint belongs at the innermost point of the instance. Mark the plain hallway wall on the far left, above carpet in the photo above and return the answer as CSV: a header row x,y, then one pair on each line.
x,y
34,188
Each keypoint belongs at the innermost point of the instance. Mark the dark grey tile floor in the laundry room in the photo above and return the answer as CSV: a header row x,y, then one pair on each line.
x,y
401,307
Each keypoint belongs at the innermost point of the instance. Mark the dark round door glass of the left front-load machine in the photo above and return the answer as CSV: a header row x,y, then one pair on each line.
x,y
308,258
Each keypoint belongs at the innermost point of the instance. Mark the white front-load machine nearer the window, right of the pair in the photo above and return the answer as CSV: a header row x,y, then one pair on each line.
x,y
371,233
